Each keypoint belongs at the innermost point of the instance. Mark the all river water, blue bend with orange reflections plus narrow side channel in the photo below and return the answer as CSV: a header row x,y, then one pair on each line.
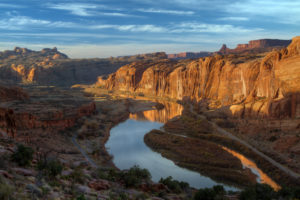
x,y
126,145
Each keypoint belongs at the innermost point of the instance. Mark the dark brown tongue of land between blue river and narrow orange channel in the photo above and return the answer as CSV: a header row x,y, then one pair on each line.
x,y
205,157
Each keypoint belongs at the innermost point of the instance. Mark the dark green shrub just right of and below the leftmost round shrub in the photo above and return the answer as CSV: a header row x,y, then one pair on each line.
x,y
51,168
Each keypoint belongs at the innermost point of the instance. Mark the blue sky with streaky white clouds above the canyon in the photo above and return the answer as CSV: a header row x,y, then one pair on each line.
x,y
103,28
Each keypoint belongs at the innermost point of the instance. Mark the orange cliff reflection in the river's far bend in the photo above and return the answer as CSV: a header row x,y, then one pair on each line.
x,y
170,111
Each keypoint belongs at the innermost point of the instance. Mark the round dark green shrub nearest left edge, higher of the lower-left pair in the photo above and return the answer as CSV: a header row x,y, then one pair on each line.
x,y
23,156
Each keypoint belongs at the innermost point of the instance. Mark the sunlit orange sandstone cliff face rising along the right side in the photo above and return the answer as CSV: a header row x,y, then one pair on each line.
x,y
263,85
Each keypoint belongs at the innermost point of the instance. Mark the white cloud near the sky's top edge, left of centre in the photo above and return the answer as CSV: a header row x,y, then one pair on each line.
x,y
79,9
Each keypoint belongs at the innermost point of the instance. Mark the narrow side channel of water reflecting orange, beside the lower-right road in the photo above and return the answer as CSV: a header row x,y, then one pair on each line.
x,y
262,177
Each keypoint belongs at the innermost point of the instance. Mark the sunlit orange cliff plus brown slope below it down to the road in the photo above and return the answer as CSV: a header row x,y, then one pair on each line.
x,y
256,96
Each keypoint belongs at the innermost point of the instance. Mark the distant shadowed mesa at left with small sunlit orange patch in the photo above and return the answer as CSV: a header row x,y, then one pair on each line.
x,y
51,67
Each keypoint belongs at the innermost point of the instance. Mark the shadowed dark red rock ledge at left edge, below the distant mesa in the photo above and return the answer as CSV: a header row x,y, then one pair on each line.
x,y
20,112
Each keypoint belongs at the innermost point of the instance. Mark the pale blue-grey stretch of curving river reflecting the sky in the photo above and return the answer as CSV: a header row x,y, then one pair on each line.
x,y
126,144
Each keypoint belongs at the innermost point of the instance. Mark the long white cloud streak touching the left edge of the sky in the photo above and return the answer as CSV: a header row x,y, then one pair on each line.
x,y
21,22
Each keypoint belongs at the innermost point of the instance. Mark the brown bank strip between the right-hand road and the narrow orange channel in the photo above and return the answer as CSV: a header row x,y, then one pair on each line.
x,y
205,130
